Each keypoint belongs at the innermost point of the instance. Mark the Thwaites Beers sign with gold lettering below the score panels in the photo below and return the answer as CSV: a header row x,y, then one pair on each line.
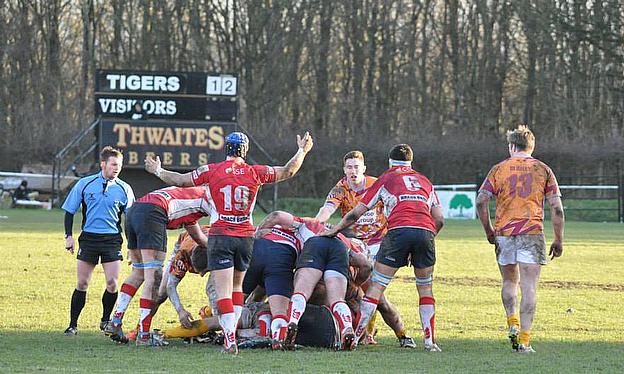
x,y
180,145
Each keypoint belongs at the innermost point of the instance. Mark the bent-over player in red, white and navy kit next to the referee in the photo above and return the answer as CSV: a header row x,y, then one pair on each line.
x,y
146,230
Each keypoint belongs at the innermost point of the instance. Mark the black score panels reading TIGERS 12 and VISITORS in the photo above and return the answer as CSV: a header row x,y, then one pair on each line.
x,y
166,95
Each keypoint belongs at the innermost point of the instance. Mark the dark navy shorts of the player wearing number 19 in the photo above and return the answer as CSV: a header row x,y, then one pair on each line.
x,y
227,251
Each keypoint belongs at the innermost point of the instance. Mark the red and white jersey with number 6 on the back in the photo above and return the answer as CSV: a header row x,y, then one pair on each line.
x,y
408,197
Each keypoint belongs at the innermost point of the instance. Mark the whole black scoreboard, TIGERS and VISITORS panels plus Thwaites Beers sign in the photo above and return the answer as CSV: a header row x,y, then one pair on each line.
x,y
182,116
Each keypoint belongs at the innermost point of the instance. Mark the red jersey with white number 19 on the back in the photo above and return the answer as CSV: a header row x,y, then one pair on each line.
x,y
233,187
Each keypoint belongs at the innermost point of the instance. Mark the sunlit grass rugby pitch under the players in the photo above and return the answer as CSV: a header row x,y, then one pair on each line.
x,y
578,326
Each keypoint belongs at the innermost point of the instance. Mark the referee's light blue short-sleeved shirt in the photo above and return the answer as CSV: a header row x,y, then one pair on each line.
x,y
102,201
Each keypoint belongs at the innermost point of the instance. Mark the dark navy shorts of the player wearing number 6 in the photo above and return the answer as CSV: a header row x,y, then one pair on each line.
x,y
399,245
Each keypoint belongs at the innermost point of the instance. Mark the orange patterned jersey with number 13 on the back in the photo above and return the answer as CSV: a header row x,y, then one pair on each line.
x,y
520,185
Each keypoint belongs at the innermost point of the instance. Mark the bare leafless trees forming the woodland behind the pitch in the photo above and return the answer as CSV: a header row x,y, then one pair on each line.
x,y
447,76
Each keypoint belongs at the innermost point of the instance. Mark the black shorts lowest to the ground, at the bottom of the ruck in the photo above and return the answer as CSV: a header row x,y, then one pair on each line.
x,y
317,328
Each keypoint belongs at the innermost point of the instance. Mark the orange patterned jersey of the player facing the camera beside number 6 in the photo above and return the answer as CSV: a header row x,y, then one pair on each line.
x,y
371,226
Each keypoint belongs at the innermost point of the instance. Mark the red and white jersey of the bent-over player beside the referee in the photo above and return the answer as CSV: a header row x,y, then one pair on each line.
x,y
184,205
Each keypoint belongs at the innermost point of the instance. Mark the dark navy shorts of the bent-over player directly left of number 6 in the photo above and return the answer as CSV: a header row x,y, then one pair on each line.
x,y
324,253
